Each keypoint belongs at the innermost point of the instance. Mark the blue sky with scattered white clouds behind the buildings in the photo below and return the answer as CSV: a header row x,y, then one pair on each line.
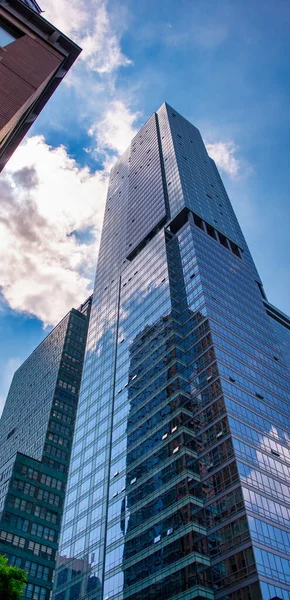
x,y
223,64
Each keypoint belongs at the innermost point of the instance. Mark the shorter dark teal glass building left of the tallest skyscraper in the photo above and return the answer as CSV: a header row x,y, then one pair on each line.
x,y
36,432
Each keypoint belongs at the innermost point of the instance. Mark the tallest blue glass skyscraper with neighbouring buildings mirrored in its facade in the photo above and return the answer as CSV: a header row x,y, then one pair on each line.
x,y
179,479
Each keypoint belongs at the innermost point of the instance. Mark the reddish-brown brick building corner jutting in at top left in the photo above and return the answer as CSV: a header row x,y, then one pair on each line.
x,y
34,57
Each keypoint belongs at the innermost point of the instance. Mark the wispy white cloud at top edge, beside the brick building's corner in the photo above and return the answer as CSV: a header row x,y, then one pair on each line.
x,y
91,26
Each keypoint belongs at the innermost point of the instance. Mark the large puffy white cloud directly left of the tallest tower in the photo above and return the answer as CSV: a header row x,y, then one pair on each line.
x,y
45,197
